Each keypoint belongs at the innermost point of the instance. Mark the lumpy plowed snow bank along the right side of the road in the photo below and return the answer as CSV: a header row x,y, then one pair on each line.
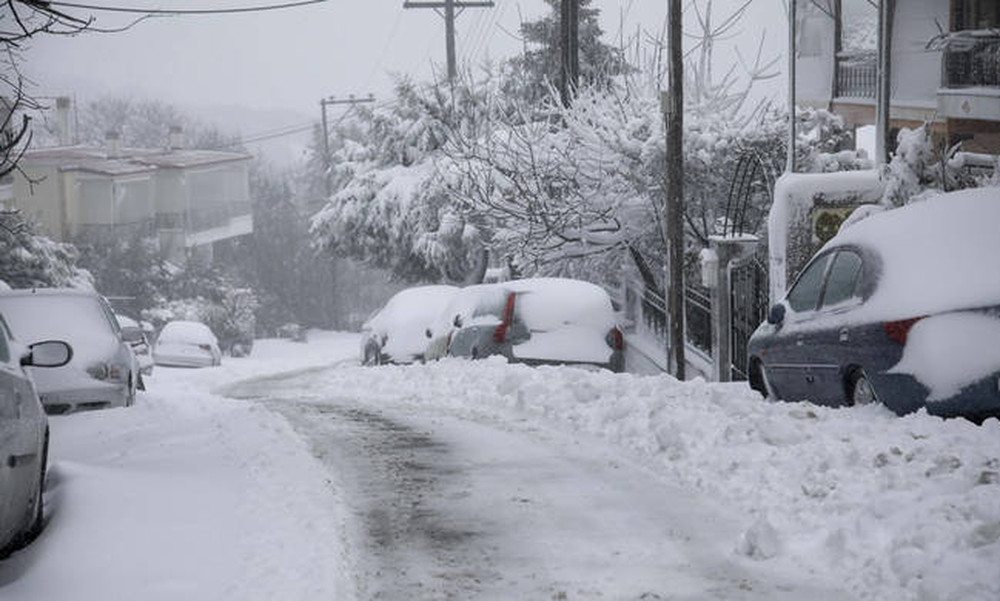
x,y
897,508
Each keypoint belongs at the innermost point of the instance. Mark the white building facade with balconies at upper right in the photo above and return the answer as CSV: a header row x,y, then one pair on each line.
x,y
945,65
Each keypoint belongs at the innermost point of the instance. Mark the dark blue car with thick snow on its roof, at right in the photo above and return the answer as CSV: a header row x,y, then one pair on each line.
x,y
900,308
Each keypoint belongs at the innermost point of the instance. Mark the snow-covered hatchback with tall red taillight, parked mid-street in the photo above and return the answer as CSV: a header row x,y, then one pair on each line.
x,y
538,321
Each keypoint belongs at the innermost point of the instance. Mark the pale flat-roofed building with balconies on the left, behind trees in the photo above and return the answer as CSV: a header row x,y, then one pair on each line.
x,y
188,199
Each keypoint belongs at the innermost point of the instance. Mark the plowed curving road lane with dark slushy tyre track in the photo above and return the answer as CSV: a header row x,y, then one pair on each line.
x,y
467,506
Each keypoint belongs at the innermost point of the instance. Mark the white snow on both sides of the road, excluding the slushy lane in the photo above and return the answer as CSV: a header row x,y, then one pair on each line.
x,y
193,494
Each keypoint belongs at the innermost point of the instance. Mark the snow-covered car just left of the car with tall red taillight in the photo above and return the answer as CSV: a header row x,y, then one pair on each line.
x,y
397,332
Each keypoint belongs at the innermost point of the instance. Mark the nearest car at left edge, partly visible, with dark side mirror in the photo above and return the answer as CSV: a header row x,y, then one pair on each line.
x,y
24,436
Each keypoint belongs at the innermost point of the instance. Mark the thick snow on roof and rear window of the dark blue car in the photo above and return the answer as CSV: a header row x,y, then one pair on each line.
x,y
937,255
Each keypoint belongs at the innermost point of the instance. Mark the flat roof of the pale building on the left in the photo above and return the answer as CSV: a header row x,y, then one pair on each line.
x,y
128,161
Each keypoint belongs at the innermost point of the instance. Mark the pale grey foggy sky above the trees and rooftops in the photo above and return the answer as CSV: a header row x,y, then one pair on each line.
x,y
289,59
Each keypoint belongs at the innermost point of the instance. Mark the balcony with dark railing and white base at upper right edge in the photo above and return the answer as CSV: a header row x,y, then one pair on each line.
x,y
971,76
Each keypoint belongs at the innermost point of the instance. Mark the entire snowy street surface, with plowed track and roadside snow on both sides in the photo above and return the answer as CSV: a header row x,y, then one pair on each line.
x,y
295,474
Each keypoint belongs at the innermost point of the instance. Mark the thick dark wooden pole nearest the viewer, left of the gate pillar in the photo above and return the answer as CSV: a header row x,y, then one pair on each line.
x,y
673,101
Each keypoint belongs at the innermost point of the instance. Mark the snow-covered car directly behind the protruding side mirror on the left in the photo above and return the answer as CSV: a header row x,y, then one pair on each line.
x,y
103,371
